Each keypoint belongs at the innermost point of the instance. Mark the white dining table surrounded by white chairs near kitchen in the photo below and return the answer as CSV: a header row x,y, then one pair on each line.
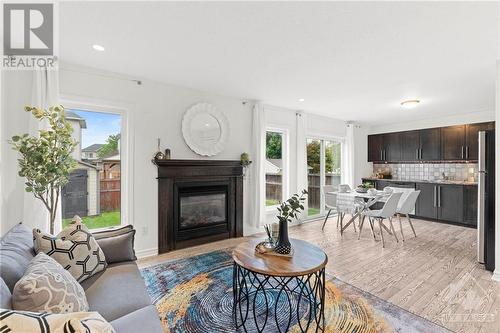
x,y
356,203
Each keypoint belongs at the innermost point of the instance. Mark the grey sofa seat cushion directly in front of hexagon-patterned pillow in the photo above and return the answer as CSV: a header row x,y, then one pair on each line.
x,y
117,291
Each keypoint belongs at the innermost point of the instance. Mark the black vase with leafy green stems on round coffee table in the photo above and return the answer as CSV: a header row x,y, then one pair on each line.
x,y
287,212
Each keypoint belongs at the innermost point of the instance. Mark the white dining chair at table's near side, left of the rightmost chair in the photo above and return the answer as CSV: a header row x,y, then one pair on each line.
x,y
387,212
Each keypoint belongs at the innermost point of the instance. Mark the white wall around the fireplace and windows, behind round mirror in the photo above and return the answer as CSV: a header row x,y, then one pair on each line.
x,y
154,110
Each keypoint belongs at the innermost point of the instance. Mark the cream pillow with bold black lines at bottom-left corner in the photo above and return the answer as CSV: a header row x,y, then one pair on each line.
x,y
32,322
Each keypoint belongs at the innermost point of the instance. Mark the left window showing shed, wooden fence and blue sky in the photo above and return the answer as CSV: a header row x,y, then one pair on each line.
x,y
94,188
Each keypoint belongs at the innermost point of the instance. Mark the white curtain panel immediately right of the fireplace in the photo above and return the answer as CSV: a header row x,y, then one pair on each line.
x,y
258,174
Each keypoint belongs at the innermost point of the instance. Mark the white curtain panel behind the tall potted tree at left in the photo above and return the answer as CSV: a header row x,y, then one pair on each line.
x,y
45,93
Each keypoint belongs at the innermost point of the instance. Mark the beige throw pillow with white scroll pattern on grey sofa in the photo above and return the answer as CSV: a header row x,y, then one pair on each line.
x,y
47,287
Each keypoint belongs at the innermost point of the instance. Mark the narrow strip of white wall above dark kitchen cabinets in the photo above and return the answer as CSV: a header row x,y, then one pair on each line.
x,y
458,119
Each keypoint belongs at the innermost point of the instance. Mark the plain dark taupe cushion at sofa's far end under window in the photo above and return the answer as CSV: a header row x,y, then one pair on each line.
x,y
117,245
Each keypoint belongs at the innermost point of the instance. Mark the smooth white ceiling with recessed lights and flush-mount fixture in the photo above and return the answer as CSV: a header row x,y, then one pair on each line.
x,y
353,61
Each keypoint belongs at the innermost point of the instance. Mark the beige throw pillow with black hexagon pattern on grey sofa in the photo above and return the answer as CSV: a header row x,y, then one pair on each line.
x,y
74,248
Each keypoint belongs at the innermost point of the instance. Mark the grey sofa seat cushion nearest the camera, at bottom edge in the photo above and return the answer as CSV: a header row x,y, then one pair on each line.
x,y
142,320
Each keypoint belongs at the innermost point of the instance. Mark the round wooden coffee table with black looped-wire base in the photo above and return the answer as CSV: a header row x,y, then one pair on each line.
x,y
276,292
